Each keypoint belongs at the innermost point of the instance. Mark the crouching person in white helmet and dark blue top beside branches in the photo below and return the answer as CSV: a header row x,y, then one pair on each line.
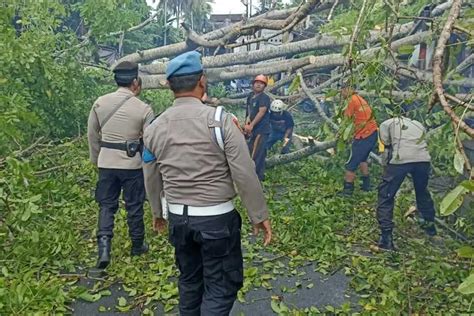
x,y
281,122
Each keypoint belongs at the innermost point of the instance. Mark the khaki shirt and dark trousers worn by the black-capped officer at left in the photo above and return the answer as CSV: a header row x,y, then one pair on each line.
x,y
118,173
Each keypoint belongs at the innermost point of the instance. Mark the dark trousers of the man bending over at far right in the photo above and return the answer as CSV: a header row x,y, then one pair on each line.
x,y
392,180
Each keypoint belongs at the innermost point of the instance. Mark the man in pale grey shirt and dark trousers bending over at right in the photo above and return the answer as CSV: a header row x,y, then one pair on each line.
x,y
406,152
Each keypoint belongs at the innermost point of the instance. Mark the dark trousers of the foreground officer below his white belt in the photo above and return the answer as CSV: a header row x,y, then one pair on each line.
x,y
209,257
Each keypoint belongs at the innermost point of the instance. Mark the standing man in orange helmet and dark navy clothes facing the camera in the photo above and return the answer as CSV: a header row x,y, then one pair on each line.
x,y
257,124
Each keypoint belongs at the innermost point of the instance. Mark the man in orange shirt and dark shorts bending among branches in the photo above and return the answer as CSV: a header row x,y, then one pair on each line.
x,y
365,138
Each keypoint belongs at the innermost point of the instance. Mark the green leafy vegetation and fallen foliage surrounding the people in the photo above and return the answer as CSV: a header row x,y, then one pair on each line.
x,y
48,216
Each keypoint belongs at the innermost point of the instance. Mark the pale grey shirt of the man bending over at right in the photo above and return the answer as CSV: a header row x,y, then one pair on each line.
x,y
406,137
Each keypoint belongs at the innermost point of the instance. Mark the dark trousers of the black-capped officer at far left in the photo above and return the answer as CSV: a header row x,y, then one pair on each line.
x,y
110,185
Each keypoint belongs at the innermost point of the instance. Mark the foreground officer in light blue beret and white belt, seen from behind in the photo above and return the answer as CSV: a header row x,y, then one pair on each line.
x,y
185,164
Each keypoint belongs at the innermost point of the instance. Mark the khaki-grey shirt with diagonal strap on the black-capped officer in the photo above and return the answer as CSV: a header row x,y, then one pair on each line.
x,y
127,123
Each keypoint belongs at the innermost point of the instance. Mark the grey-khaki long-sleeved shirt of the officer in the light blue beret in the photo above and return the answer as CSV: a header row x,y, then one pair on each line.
x,y
191,168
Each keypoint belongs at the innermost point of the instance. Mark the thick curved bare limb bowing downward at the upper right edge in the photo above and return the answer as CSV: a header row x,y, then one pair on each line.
x,y
437,70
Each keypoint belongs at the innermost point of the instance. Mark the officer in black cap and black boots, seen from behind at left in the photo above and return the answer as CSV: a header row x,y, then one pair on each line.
x,y
115,127
